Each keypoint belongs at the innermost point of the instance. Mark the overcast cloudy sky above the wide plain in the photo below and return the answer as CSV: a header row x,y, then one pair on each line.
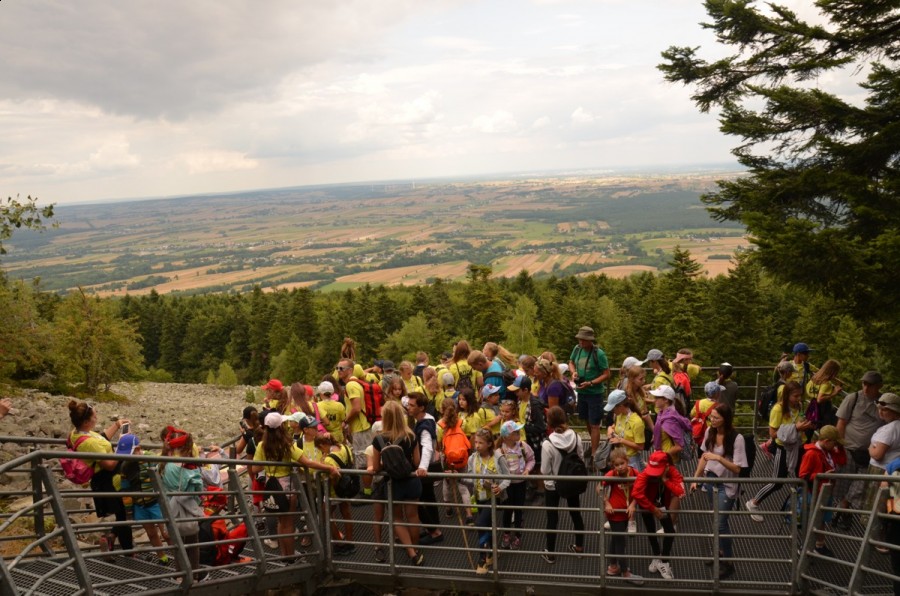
x,y
118,99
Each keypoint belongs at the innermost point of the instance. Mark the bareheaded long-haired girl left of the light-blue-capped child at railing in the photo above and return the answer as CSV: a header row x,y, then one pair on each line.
x,y
485,462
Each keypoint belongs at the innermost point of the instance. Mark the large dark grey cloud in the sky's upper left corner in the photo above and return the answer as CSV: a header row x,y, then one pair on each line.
x,y
171,58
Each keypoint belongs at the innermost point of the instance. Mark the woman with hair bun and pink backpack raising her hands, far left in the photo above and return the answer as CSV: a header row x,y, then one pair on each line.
x,y
84,421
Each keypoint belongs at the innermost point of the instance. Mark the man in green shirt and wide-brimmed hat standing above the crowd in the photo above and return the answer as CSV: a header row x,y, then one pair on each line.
x,y
590,372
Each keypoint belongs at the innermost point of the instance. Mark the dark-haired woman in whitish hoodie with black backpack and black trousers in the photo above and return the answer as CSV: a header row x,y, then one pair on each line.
x,y
562,439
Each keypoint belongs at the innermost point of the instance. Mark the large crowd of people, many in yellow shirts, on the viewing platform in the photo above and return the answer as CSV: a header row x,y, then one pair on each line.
x,y
489,412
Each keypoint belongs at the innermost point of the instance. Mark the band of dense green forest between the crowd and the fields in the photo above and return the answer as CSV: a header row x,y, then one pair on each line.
x,y
743,318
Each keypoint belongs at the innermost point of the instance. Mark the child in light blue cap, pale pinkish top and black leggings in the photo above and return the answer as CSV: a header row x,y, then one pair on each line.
x,y
520,460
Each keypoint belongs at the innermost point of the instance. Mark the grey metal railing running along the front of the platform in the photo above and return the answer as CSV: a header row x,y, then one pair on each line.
x,y
59,555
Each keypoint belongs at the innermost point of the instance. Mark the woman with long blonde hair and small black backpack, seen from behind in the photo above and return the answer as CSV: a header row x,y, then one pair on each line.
x,y
405,492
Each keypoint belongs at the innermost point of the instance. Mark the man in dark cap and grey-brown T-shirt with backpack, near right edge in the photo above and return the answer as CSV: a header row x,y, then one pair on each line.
x,y
858,420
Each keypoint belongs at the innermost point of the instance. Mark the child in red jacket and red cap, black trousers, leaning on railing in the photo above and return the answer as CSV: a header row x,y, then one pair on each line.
x,y
658,491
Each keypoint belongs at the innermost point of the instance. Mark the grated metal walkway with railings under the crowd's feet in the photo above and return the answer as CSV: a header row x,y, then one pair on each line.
x,y
61,556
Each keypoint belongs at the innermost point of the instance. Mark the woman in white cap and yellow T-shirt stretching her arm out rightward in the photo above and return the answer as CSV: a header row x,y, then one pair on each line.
x,y
278,446
